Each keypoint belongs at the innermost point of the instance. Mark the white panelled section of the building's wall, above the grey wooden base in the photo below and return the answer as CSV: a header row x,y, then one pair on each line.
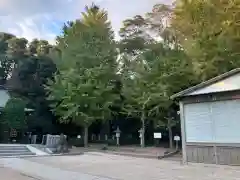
x,y
213,122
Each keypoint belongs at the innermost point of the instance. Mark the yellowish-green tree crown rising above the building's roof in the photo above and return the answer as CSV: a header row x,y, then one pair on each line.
x,y
209,32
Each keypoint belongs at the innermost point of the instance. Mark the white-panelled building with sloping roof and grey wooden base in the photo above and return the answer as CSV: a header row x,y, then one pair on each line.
x,y
210,120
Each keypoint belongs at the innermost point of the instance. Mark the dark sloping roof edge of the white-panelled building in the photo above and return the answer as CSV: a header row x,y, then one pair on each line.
x,y
204,84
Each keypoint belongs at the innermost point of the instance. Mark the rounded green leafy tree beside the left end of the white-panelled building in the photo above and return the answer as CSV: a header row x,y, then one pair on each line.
x,y
149,81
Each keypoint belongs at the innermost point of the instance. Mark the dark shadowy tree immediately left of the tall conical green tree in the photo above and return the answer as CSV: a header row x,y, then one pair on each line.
x,y
31,67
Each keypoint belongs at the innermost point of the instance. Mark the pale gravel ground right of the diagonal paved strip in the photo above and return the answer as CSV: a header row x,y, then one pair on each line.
x,y
116,167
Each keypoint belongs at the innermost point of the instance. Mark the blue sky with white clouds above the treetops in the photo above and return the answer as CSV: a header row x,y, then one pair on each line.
x,y
43,19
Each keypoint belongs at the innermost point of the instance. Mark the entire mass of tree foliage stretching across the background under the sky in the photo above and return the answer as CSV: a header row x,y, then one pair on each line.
x,y
160,53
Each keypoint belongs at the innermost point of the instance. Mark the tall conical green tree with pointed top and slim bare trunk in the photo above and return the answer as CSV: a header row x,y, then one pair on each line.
x,y
82,90
